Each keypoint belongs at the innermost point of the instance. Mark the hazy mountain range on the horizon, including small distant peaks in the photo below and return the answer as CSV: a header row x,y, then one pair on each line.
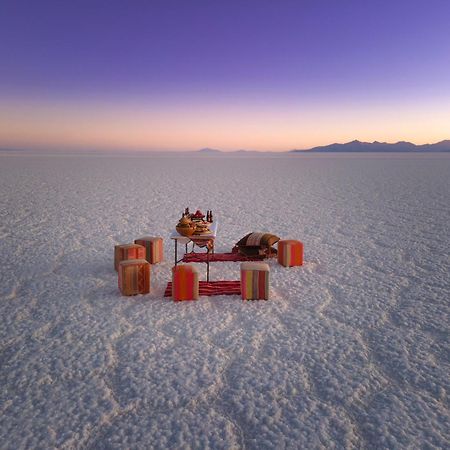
x,y
360,147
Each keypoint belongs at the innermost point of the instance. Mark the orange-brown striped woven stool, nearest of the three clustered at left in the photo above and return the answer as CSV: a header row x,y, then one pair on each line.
x,y
134,277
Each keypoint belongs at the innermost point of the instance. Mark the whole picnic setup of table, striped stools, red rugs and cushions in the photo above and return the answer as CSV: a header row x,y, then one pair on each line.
x,y
195,236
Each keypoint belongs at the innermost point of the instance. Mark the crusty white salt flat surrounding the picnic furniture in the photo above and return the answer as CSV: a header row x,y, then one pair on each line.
x,y
350,352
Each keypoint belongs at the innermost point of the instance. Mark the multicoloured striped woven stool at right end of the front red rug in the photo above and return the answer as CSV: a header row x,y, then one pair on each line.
x,y
254,281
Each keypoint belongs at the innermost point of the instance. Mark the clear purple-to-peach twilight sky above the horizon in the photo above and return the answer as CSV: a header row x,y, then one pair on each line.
x,y
260,75
